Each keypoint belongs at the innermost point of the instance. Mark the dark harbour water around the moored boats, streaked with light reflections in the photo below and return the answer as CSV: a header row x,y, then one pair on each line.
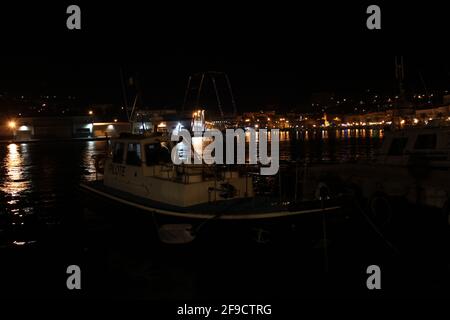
x,y
44,228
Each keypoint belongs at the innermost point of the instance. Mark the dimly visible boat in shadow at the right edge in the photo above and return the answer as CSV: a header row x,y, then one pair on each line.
x,y
412,165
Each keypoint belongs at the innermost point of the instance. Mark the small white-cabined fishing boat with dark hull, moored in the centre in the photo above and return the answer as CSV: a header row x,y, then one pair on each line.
x,y
138,173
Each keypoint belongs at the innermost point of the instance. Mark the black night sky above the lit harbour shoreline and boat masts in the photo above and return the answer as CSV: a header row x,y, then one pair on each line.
x,y
275,54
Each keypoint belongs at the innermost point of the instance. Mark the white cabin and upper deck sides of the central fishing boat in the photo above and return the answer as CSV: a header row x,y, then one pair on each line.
x,y
142,165
